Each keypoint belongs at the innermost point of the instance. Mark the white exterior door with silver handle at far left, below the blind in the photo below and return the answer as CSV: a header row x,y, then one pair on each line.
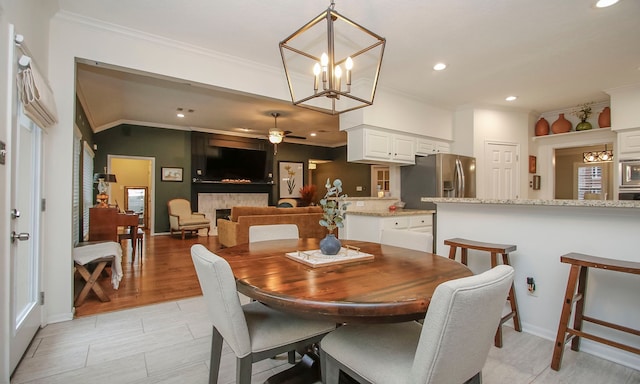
x,y
25,227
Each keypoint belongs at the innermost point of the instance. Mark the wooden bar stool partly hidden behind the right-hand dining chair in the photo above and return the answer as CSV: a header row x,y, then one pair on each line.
x,y
494,249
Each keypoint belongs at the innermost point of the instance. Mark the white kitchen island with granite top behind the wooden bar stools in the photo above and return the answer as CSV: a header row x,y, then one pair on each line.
x,y
544,230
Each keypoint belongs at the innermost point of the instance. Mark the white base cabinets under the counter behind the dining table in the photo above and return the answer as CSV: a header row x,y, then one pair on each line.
x,y
369,227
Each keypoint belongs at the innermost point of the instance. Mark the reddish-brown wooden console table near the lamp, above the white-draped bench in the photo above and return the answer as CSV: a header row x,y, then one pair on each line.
x,y
104,223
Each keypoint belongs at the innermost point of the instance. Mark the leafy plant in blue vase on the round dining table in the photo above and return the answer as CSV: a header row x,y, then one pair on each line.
x,y
334,207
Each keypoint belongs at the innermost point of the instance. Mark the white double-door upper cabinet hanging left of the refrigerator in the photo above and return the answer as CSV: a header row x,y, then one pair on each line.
x,y
370,145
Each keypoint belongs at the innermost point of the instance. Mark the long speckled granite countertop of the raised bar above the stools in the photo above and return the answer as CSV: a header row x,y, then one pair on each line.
x,y
556,203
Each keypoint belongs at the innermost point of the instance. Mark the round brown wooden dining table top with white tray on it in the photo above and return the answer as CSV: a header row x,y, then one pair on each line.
x,y
396,285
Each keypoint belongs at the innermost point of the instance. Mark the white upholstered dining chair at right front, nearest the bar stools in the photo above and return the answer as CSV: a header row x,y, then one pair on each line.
x,y
450,348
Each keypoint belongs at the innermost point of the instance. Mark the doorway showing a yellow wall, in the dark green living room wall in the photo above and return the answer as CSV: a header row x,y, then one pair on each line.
x,y
135,174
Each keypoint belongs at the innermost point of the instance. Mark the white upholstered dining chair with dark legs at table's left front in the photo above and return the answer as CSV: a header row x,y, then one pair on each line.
x,y
253,331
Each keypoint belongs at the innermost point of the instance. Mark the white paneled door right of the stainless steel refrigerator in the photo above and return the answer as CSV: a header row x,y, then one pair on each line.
x,y
502,170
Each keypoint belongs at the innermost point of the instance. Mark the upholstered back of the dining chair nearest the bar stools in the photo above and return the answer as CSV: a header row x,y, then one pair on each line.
x,y
459,327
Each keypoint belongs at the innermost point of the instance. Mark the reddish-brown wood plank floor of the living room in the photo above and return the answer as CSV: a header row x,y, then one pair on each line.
x,y
166,274
